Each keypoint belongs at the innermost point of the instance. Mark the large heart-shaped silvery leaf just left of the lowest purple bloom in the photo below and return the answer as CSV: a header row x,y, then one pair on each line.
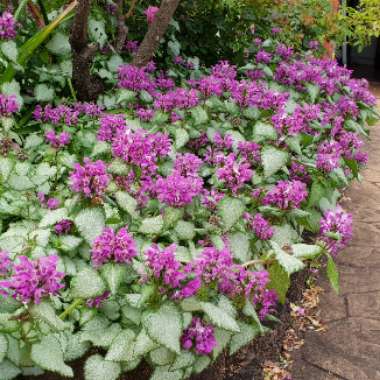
x,y
165,327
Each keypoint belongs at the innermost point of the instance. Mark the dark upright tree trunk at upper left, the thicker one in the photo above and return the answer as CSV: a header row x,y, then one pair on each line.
x,y
86,85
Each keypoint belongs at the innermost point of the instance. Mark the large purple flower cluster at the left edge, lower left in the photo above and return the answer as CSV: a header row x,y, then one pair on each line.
x,y
32,280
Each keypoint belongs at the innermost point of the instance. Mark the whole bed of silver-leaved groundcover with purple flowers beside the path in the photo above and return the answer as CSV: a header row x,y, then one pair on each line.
x,y
163,223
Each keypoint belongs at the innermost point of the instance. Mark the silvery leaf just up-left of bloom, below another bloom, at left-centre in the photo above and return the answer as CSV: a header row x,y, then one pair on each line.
x,y
90,223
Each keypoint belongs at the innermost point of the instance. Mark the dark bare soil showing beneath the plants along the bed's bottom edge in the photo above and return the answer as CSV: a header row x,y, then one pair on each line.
x,y
244,365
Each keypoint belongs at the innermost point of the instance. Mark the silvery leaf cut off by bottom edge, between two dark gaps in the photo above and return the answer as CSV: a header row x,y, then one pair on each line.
x,y
96,368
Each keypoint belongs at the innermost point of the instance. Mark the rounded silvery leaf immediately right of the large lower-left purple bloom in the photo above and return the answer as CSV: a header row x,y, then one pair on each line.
x,y
87,284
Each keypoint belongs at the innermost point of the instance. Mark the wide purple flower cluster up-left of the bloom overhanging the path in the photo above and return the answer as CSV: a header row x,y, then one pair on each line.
x,y
286,194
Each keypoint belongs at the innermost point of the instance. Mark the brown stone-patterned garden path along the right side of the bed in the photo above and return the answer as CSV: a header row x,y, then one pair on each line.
x,y
350,349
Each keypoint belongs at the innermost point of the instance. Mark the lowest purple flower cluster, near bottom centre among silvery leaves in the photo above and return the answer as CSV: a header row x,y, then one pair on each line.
x,y
199,336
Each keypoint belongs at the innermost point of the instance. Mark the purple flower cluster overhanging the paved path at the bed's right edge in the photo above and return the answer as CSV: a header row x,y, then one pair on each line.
x,y
336,229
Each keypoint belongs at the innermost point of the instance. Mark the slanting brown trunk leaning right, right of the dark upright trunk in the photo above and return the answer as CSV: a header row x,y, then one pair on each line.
x,y
155,32
